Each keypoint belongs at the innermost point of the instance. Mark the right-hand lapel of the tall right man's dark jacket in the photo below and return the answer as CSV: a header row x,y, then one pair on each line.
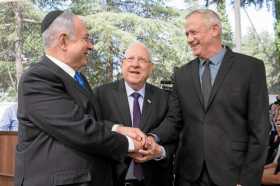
x,y
223,71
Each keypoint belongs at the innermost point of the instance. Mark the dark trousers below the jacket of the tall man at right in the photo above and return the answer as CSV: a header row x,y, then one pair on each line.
x,y
203,180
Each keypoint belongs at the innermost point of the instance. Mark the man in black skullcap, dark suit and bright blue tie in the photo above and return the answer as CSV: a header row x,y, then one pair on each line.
x,y
59,140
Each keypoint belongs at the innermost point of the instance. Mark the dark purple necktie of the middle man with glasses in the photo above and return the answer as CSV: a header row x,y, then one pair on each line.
x,y
137,170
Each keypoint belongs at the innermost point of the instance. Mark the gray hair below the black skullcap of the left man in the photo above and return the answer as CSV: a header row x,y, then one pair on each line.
x,y
63,23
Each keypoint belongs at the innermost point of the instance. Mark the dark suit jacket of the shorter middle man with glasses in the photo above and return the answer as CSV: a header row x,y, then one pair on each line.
x,y
113,106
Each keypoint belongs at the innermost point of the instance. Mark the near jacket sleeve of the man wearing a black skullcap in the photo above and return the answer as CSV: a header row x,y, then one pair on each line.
x,y
51,109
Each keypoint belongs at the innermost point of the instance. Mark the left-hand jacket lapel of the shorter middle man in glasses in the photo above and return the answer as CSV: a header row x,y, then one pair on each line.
x,y
122,102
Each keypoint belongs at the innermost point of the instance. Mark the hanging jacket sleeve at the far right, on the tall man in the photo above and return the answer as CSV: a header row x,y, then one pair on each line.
x,y
258,127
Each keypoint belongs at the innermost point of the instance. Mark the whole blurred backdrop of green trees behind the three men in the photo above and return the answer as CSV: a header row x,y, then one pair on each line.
x,y
114,24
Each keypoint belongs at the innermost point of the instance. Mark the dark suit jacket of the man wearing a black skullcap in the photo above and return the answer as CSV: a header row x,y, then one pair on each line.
x,y
60,142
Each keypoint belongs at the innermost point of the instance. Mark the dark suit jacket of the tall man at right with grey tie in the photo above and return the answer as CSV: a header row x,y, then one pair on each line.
x,y
231,135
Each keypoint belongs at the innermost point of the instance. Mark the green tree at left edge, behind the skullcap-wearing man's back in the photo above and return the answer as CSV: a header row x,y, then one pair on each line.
x,y
19,20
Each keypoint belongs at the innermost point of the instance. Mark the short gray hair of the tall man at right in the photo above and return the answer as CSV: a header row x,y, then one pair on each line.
x,y
210,17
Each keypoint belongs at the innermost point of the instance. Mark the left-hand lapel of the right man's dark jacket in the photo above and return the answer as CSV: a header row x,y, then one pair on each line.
x,y
196,80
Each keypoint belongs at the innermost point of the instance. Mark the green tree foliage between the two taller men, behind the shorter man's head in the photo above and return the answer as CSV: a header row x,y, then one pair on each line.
x,y
115,31
